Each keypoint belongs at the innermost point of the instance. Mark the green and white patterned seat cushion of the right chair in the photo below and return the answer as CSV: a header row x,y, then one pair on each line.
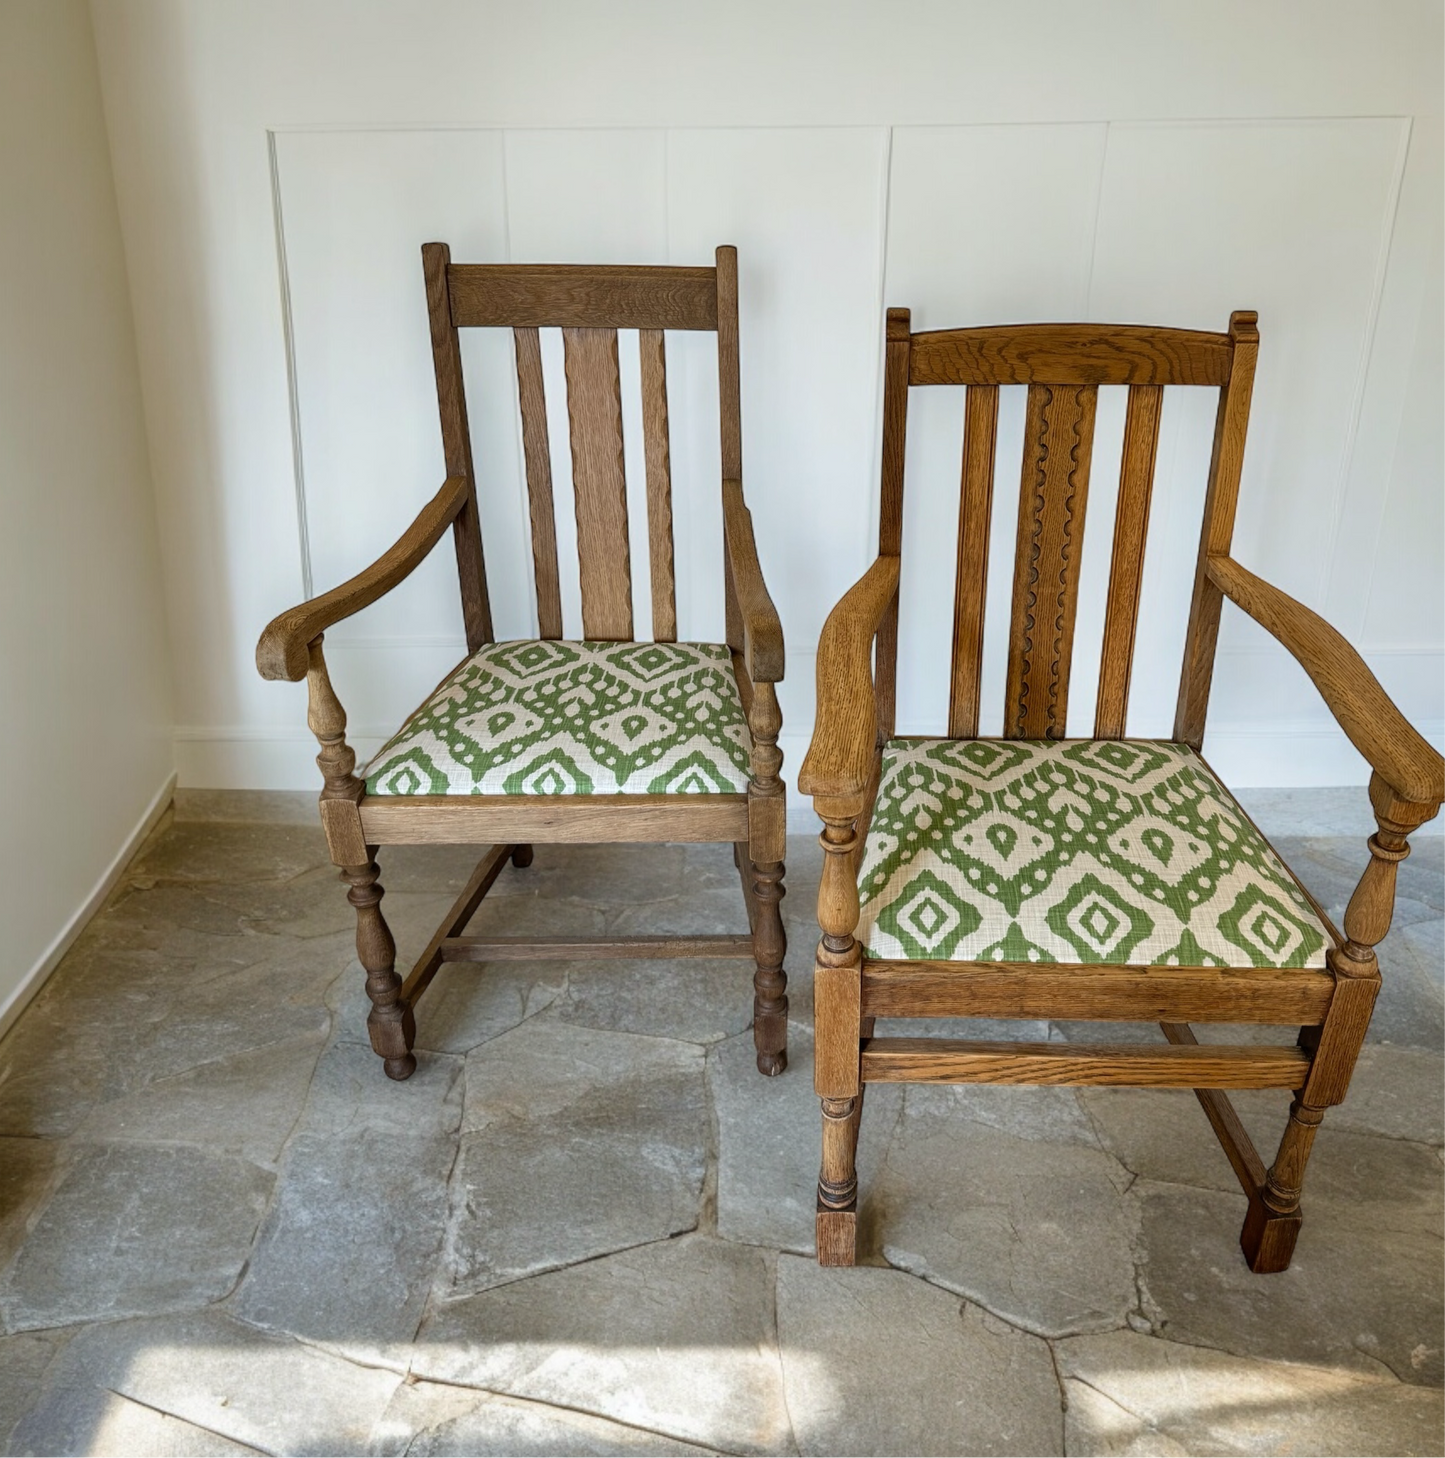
x,y
1075,851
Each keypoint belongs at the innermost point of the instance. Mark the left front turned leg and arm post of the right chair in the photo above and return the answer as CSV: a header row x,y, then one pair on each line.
x,y
838,1014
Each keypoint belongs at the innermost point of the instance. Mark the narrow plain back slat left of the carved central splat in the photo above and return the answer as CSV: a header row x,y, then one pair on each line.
x,y
975,515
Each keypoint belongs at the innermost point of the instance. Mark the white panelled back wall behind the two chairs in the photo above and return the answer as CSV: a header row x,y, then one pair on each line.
x,y
279,165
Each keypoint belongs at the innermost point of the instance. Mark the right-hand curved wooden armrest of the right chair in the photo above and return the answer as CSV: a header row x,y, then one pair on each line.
x,y
1396,752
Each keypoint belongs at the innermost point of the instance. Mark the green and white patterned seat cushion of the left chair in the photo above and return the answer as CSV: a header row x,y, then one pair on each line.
x,y
550,718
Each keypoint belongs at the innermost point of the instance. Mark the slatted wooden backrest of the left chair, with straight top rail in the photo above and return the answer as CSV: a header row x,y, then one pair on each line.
x,y
590,305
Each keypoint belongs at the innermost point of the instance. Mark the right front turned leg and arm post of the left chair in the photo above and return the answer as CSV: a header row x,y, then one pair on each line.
x,y
768,841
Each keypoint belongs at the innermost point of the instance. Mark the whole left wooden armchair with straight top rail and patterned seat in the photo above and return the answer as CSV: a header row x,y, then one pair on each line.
x,y
606,740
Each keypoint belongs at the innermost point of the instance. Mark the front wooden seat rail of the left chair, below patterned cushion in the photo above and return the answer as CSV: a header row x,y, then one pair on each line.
x,y
457,820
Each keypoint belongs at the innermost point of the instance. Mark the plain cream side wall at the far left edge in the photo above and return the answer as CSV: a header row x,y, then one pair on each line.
x,y
87,711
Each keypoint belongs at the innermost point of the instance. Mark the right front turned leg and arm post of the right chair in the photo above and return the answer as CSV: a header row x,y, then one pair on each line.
x,y
1274,1223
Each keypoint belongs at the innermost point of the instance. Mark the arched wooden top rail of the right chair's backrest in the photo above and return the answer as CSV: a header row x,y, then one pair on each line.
x,y
1070,355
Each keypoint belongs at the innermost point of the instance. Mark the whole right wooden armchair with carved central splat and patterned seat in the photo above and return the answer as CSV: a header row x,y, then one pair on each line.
x,y
1036,877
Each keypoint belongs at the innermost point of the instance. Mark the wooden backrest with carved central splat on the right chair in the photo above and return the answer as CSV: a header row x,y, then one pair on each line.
x,y
1064,365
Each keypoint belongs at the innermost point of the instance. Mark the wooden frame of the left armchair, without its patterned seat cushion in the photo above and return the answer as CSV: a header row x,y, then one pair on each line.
x,y
590,304
